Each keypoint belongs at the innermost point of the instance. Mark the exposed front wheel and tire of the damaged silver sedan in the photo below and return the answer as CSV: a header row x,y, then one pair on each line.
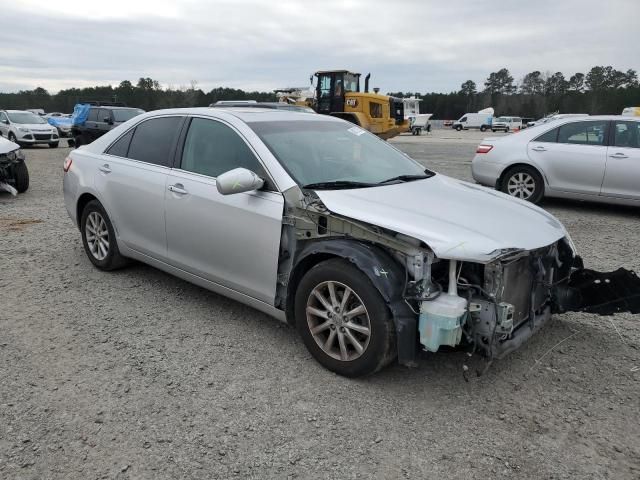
x,y
343,320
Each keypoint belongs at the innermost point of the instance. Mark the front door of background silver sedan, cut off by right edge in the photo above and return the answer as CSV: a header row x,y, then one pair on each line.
x,y
622,175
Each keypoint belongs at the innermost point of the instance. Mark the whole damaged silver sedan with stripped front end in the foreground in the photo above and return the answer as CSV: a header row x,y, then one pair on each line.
x,y
325,226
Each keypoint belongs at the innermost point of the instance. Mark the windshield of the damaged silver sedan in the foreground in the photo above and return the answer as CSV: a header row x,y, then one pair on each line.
x,y
317,152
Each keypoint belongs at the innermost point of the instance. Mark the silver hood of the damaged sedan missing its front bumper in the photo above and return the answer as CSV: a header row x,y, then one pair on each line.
x,y
457,220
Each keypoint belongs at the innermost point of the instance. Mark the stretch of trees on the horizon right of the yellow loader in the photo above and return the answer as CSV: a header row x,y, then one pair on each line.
x,y
602,91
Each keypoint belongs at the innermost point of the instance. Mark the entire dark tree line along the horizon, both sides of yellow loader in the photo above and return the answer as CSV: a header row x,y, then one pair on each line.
x,y
603,90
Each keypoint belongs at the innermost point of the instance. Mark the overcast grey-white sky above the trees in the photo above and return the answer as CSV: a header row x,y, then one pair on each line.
x,y
407,45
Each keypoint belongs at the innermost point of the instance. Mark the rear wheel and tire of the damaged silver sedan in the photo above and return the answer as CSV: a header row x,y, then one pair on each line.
x,y
99,238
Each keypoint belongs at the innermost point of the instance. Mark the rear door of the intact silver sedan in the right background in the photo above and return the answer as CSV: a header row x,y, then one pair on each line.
x,y
572,156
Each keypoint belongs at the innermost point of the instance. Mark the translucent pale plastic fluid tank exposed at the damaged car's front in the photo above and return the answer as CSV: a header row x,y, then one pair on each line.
x,y
441,321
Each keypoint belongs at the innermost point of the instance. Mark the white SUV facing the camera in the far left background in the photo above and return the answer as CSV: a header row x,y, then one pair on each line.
x,y
26,128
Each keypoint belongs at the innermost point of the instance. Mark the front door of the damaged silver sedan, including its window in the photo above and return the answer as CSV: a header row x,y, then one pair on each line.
x,y
232,240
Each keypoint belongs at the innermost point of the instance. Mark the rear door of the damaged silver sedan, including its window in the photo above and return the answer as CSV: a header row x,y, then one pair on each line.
x,y
132,177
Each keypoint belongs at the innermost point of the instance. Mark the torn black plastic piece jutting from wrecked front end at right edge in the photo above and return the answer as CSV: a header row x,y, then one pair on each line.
x,y
603,293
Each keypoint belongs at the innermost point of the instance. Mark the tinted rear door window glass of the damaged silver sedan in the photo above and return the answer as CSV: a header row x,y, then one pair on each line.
x,y
154,140
